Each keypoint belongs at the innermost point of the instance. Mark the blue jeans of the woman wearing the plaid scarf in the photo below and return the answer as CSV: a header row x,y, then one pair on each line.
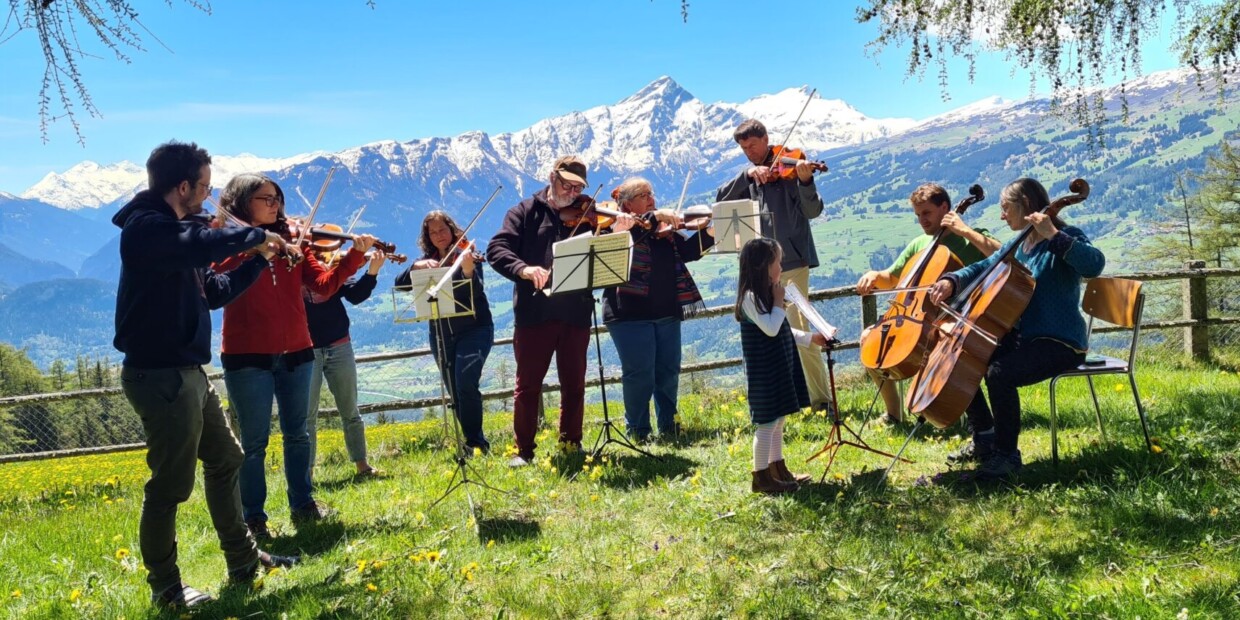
x,y
650,356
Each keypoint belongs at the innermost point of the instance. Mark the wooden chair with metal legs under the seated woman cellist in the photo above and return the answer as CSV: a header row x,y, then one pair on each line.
x,y
1118,302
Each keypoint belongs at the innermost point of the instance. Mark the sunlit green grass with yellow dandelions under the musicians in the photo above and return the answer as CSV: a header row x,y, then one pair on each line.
x,y
1114,531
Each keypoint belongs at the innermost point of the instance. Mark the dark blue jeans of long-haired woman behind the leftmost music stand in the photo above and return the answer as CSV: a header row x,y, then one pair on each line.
x,y
464,356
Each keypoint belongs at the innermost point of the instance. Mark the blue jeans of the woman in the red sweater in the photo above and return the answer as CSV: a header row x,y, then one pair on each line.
x,y
251,391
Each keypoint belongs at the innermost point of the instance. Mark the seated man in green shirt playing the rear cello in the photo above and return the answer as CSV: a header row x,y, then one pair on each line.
x,y
933,209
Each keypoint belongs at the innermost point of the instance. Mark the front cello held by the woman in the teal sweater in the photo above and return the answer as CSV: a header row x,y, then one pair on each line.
x,y
979,319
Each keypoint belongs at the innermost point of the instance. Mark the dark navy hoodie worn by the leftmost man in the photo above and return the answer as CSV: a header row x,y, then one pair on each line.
x,y
167,292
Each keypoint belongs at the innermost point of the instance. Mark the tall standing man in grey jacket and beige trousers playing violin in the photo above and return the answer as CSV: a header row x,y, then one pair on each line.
x,y
792,204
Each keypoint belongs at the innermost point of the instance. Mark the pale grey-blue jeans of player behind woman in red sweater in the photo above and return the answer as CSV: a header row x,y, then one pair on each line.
x,y
340,366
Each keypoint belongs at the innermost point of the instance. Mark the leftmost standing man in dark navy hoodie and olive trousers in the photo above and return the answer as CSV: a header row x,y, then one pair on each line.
x,y
164,306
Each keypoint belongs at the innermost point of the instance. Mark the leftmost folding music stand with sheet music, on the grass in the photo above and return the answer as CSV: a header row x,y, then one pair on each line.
x,y
426,308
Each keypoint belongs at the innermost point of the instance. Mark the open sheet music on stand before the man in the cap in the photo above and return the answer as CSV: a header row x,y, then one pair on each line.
x,y
613,256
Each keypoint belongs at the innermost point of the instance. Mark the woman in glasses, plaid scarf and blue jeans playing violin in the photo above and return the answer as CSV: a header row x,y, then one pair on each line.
x,y
644,316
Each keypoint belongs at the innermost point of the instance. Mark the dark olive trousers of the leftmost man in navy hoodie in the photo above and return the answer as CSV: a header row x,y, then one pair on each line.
x,y
184,423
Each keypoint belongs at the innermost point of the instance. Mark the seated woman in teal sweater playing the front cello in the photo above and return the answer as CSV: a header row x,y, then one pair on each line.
x,y
1051,335
